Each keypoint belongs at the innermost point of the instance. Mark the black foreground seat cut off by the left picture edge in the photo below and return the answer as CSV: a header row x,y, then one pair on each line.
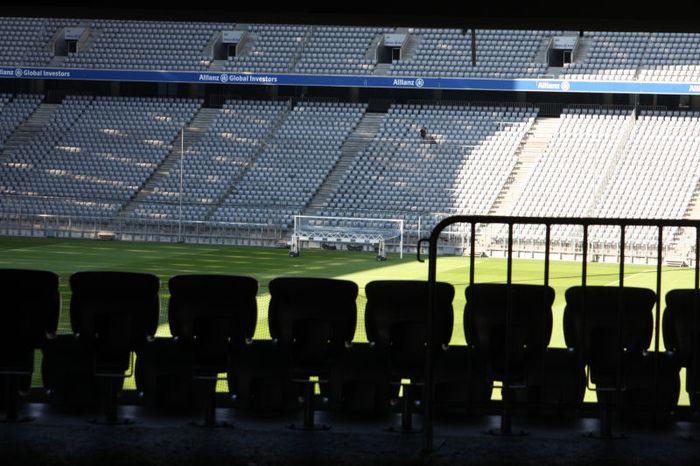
x,y
29,312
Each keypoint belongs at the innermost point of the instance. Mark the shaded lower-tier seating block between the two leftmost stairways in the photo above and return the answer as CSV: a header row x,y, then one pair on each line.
x,y
95,154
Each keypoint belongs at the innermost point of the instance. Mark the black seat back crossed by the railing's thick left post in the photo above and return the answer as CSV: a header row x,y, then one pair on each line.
x,y
396,319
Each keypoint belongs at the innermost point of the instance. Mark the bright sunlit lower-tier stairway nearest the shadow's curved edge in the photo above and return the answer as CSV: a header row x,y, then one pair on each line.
x,y
529,152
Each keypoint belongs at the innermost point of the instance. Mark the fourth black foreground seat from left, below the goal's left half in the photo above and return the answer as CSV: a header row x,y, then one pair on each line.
x,y
313,322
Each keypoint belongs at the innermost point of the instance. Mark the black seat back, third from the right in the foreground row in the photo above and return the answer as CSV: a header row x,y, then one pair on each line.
x,y
530,323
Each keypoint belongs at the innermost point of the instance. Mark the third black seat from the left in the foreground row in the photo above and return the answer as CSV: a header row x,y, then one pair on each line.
x,y
211,317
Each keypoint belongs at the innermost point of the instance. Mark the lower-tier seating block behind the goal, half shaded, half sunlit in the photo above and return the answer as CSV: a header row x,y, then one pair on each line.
x,y
402,174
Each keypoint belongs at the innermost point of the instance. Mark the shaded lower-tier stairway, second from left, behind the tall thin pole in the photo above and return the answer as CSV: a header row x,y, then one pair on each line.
x,y
193,133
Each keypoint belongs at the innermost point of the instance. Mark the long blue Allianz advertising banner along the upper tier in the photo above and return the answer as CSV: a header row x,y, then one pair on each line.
x,y
481,84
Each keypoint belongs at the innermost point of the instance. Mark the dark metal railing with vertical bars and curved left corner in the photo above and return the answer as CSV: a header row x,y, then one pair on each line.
x,y
548,222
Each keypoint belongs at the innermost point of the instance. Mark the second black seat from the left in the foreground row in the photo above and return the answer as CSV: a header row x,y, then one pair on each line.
x,y
112,315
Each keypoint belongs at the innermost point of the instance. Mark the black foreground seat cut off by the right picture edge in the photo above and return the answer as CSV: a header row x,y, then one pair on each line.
x,y
681,331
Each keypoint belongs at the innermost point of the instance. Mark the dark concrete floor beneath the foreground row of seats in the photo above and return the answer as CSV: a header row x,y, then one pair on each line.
x,y
54,438
